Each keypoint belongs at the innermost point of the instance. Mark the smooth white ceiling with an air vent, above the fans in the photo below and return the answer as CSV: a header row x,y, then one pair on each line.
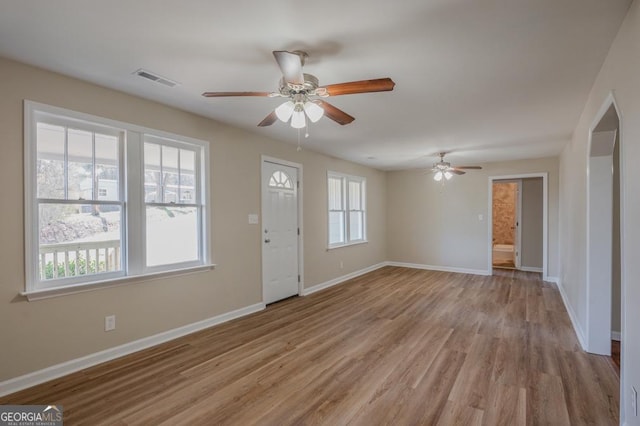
x,y
489,80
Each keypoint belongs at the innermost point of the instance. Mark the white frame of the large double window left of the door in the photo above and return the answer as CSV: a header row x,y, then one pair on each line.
x,y
131,169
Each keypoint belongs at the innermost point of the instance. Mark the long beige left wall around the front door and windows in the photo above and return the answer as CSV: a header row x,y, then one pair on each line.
x,y
39,334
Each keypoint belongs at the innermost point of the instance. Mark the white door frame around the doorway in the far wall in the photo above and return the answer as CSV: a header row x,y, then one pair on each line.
x,y
545,218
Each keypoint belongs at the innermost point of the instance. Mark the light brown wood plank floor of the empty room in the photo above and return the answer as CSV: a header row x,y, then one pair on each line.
x,y
396,346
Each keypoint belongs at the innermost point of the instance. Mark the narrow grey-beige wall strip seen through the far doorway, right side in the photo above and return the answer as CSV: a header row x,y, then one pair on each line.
x,y
532,223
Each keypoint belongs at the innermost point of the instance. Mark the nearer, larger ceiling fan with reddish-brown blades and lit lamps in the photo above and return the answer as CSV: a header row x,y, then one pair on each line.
x,y
303,93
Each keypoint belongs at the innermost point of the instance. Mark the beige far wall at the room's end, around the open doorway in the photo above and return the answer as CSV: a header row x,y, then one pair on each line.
x,y
433,224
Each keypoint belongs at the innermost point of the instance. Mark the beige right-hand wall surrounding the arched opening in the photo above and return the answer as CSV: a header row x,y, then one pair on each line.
x,y
620,74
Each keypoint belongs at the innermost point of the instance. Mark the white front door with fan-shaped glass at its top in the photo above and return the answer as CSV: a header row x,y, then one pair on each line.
x,y
279,231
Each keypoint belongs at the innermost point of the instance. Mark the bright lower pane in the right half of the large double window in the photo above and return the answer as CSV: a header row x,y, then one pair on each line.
x,y
172,235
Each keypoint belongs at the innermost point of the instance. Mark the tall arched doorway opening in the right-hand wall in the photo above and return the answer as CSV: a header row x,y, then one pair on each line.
x,y
604,248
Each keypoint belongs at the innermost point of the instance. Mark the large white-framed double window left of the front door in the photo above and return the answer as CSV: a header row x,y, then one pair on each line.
x,y
93,217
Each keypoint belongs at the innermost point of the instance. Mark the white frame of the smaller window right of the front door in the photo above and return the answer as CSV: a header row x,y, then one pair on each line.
x,y
346,203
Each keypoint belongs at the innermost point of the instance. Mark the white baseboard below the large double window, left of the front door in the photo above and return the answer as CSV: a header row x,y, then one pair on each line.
x,y
68,367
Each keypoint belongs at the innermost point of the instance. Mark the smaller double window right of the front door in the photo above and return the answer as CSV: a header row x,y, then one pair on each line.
x,y
347,211
